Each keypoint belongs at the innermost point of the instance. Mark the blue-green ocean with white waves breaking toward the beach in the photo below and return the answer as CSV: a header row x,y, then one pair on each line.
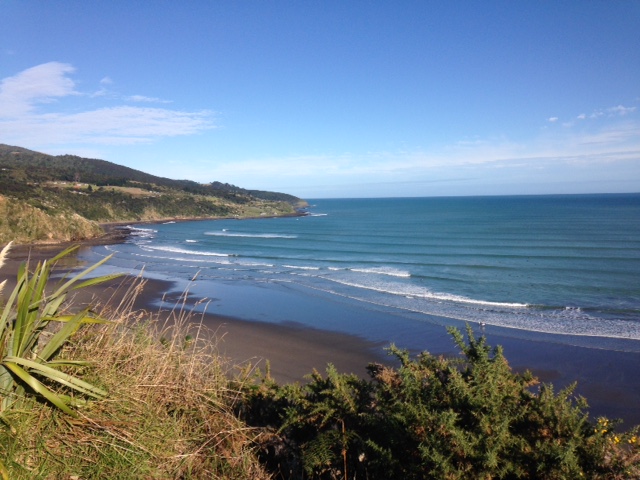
x,y
562,267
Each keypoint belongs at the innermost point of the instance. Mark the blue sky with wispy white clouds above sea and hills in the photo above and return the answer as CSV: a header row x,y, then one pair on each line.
x,y
333,98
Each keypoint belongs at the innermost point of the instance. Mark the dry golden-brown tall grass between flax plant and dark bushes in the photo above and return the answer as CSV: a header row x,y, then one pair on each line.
x,y
166,412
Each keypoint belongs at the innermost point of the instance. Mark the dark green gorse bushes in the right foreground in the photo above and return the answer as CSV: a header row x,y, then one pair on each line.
x,y
434,417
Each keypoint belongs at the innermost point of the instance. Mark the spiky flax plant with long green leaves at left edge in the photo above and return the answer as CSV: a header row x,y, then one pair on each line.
x,y
28,343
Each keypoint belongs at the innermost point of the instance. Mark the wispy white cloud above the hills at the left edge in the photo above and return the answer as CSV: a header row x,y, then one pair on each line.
x,y
23,121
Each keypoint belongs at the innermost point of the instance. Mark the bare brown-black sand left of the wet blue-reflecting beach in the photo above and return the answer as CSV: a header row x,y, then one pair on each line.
x,y
292,351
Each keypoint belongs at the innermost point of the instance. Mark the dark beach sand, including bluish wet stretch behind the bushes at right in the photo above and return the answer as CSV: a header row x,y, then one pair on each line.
x,y
610,380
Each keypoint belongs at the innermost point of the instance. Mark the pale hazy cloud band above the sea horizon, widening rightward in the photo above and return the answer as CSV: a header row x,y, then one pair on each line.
x,y
599,153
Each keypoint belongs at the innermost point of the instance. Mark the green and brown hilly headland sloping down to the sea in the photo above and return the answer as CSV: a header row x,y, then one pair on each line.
x,y
45,197
